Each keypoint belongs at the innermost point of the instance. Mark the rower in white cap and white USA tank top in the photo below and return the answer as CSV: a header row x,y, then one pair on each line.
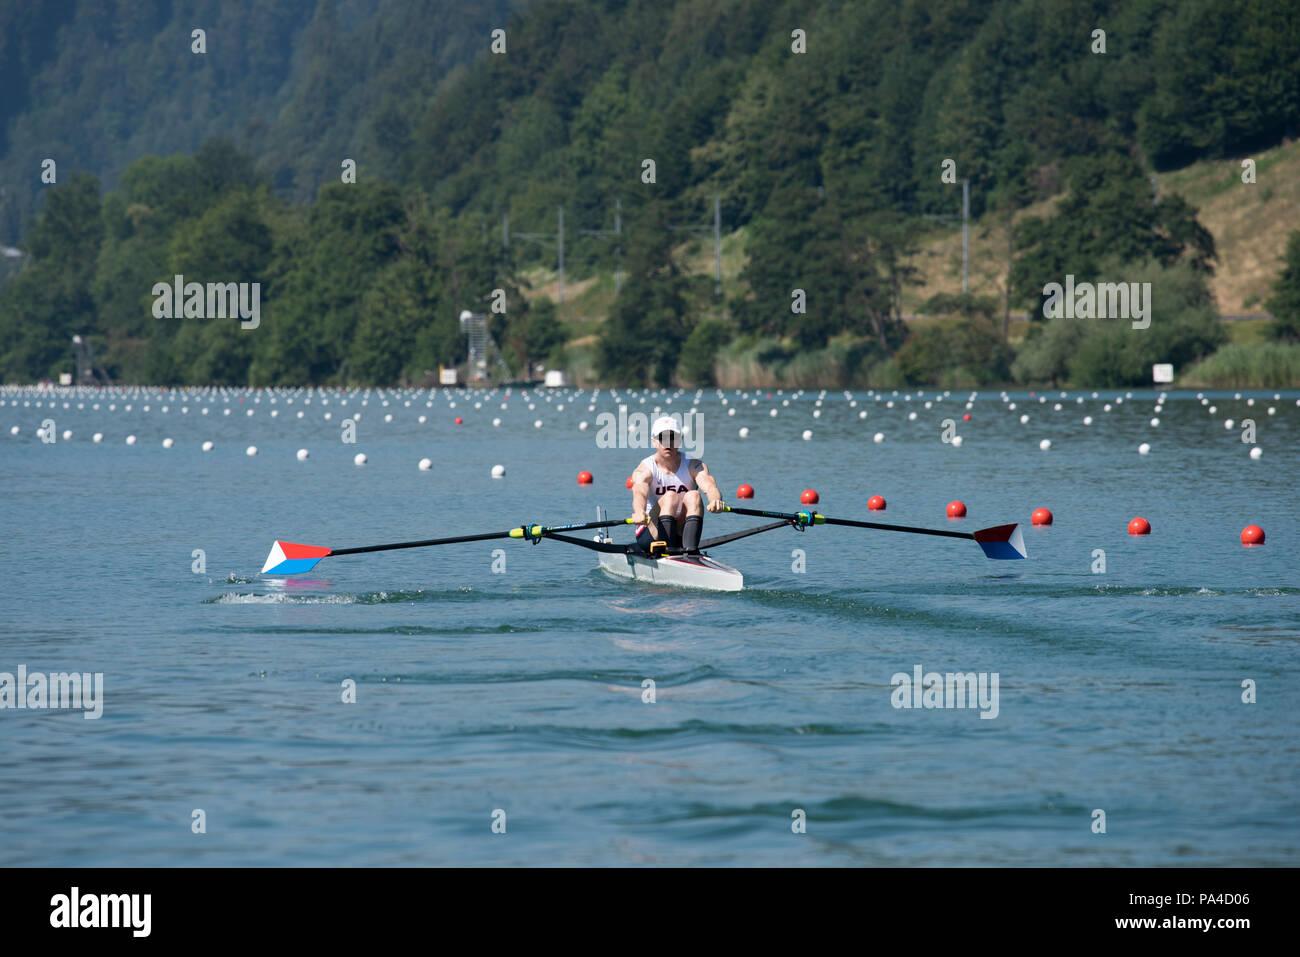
x,y
669,483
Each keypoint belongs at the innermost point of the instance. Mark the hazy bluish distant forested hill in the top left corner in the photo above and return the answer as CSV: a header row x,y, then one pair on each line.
x,y
297,84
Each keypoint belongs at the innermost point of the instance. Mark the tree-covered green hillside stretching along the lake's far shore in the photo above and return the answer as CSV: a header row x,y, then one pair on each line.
x,y
829,131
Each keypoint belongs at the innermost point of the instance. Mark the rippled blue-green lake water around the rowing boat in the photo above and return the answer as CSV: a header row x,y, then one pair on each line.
x,y
521,691
